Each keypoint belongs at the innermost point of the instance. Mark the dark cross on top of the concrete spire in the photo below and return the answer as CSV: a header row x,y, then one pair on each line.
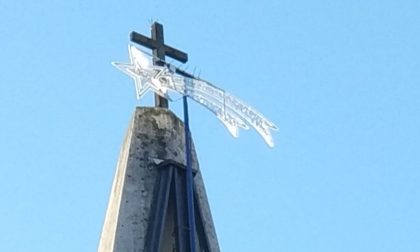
x,y
156,43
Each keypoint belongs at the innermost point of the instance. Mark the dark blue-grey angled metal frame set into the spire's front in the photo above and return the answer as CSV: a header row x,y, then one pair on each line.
x,y
170,192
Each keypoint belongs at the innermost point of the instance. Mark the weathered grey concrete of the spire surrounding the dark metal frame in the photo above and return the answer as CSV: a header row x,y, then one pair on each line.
x,y
154,133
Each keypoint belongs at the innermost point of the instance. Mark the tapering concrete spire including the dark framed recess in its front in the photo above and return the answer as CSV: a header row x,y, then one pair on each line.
x,y
138,202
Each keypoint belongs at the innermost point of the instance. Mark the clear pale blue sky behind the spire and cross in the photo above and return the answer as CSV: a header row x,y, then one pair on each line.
x,y
340,79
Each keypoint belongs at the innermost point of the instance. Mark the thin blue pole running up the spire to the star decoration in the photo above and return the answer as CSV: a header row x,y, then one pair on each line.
x,y
190,182
